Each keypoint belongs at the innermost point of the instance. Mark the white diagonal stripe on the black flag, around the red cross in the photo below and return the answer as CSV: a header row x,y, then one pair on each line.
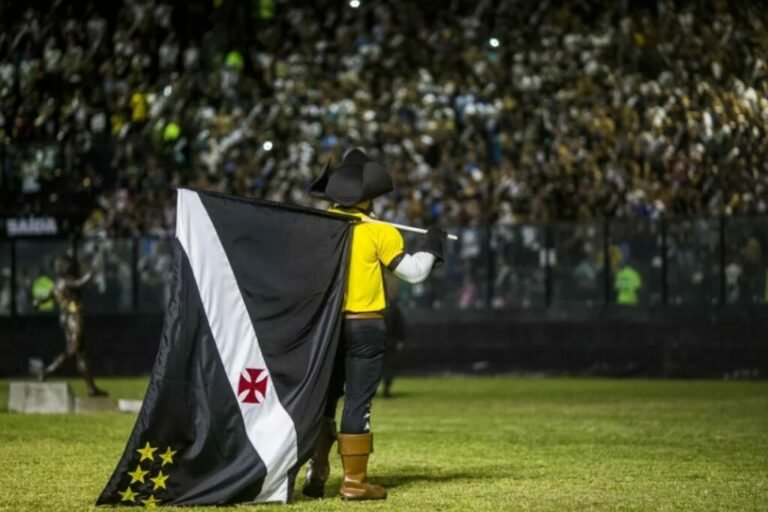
x,y
270,429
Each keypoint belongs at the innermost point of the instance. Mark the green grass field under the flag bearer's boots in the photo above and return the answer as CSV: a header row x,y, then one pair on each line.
x,y
471,444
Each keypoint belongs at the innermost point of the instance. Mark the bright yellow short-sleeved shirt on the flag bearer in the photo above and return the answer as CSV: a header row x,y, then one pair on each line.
x,y
373,246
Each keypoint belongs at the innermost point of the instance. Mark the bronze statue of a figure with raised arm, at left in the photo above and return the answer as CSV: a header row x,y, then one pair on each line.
x,y
66,293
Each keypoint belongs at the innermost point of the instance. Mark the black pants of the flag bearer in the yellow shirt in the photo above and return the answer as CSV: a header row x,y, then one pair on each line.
x,y
359,363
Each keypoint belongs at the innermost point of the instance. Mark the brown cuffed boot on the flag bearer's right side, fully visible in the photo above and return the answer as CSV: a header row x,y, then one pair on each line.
x,y
354,450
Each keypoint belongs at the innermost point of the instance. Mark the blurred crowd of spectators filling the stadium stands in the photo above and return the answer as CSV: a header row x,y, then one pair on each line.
x,y
490,114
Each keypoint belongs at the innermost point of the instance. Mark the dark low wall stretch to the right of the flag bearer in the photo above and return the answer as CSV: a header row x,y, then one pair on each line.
x,y
710,343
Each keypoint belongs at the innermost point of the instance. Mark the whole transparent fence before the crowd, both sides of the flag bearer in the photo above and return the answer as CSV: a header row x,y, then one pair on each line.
x,y
697,261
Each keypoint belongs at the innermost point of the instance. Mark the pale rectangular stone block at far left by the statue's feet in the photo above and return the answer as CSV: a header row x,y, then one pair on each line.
x,y
41,397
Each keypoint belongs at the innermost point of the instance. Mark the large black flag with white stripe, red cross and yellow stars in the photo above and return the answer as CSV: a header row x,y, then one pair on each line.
x,y
237,389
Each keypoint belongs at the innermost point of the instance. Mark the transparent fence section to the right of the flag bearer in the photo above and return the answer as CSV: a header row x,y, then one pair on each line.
x,y
678,262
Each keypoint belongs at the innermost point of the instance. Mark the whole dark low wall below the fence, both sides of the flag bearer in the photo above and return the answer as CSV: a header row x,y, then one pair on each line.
x,y
663,342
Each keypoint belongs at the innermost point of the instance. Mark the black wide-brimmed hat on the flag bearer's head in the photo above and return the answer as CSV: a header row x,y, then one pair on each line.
x,y
358,178
